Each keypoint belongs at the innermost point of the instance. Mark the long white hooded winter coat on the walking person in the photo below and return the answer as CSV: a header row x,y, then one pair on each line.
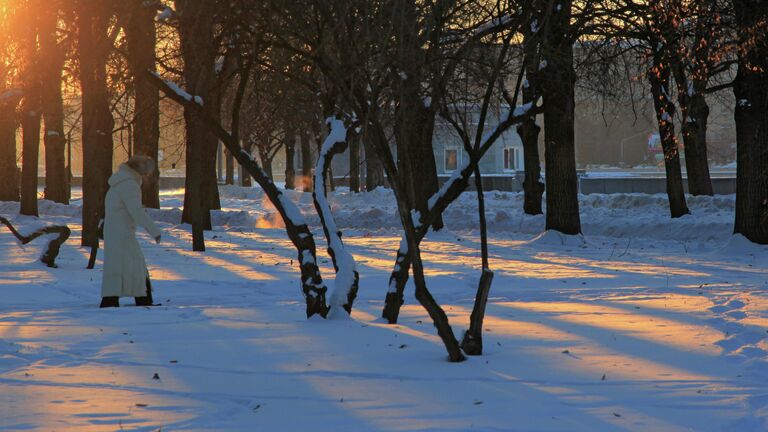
x,y
125,271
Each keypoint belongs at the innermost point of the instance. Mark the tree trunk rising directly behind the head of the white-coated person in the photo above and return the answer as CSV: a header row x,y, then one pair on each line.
x,y
141,38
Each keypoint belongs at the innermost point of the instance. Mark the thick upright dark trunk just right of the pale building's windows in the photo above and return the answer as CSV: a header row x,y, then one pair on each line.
x,y
558,80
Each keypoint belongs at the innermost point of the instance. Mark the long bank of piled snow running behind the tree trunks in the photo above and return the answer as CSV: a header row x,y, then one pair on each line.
x,y
616,215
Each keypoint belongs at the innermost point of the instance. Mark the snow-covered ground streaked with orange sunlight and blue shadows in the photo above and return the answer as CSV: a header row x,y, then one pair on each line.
x,y
650,324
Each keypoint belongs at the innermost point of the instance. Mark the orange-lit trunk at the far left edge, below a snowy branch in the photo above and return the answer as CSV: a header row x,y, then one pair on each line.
x,y
9,181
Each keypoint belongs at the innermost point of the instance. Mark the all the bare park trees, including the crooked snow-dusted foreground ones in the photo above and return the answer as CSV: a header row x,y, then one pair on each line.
x,y
377,76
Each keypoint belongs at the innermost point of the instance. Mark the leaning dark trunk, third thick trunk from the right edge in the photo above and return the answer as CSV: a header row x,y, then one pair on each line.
x,y
659,77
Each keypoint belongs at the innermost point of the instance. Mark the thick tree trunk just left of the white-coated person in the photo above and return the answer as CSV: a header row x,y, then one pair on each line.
x,y
95,46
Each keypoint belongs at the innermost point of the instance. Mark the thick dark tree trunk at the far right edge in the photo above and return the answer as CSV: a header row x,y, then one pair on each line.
x,y
751,115
